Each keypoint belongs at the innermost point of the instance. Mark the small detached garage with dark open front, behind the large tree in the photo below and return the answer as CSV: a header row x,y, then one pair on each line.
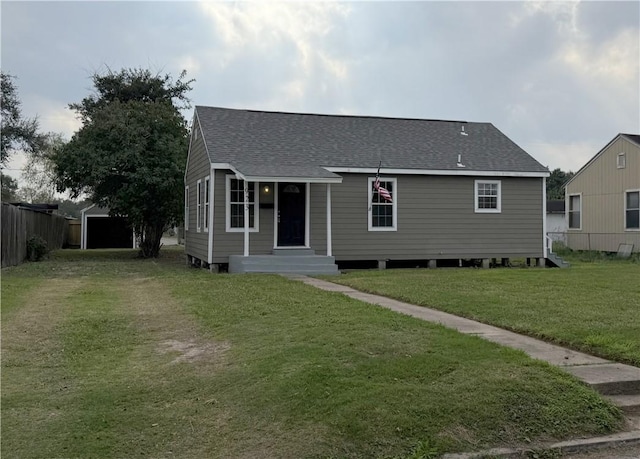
x,y
100,231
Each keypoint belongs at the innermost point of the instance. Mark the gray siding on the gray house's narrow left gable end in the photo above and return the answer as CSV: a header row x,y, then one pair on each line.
x,y
198,167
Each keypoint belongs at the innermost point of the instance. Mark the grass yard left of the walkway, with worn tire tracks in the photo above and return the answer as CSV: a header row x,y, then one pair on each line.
x,y
105,355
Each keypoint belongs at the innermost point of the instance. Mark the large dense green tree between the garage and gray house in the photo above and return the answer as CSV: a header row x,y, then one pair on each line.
x,y
130,152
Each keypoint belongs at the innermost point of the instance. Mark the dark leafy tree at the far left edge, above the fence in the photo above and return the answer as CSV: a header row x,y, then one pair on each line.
x,y
16,132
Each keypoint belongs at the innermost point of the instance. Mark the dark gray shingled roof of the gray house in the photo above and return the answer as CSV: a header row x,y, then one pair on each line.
x,y
262,143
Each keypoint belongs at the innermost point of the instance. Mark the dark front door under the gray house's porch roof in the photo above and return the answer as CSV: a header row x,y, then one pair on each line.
x,y
291,214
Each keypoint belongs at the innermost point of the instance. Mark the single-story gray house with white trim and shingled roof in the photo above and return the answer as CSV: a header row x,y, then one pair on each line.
x,y
274,192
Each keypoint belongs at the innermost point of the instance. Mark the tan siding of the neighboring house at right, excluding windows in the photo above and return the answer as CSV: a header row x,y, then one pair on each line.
x,y
603,187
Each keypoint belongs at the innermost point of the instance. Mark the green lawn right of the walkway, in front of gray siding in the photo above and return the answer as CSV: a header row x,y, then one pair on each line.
x,y
594,306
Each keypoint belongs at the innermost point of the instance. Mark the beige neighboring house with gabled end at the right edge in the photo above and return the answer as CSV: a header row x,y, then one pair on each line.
x,y
603,198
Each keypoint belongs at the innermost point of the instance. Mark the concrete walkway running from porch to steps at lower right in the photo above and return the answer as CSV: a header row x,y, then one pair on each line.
x,y
618,382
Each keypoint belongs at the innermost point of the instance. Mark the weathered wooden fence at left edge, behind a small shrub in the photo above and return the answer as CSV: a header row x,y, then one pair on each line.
x,y
18,225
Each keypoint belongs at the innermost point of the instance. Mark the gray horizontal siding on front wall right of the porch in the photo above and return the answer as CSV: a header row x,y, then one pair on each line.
x,y
436,220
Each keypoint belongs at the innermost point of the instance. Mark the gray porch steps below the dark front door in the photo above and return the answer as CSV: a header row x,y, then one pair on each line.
x,y
283,261
